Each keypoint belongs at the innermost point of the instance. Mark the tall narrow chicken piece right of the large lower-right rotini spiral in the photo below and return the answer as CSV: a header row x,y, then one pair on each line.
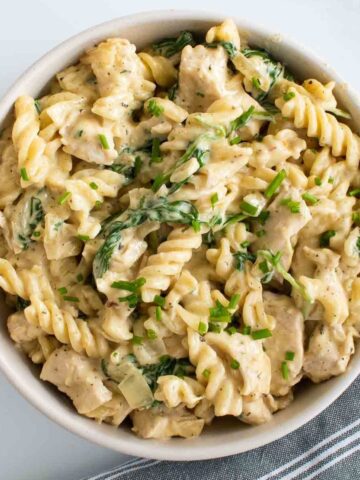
x,y
288,336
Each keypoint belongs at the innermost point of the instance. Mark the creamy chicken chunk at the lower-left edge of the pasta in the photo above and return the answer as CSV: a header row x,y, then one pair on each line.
x,y
78,377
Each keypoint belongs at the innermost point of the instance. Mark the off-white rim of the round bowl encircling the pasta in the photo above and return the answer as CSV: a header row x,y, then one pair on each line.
x,y
169,450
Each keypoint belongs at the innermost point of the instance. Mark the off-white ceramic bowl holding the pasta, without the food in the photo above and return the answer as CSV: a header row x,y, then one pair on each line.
x,y
225,437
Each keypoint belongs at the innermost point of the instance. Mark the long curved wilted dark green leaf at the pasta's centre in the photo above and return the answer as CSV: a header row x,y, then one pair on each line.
x,y
158,209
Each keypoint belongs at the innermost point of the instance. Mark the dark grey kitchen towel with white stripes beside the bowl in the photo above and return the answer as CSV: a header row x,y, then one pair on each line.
x,y
327,448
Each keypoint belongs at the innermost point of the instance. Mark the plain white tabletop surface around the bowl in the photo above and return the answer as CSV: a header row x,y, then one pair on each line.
x,y
32,447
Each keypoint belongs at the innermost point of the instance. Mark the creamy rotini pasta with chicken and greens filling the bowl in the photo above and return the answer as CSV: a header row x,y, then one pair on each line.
x,y
180,233
